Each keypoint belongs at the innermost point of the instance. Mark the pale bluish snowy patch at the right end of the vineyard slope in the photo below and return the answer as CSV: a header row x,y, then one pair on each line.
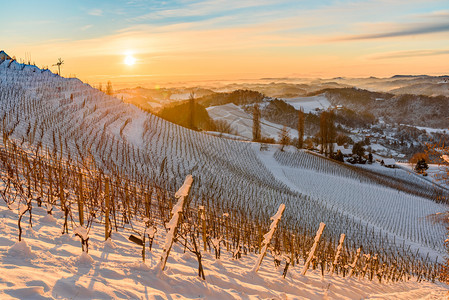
x,y
401,215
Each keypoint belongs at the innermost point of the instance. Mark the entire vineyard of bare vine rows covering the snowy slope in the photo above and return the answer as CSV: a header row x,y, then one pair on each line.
x,y
96,161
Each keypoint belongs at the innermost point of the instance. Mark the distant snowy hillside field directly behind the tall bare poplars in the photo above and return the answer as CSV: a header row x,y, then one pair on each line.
x,y
242,122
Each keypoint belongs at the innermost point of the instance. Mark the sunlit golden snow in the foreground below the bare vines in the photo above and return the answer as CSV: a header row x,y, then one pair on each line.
x,y
48,265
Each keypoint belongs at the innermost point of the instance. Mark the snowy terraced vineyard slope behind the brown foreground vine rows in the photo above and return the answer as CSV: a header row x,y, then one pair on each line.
x,y
39,107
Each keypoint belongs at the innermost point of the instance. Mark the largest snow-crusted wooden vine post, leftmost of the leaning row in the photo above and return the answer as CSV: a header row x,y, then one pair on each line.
x,y
173,224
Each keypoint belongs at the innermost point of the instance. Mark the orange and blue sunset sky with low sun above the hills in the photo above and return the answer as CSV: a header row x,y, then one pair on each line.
x,y
228,39
